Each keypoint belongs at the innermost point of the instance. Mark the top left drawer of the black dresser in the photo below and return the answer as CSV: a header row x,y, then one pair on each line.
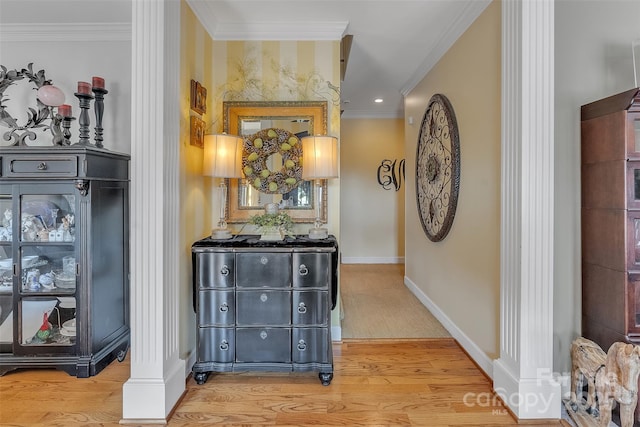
x,y
214,270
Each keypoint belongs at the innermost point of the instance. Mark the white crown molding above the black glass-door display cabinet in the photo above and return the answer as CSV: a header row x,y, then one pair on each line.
x,y
65,32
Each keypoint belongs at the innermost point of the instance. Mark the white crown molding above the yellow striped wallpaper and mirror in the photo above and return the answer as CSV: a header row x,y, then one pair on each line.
x,y
259,31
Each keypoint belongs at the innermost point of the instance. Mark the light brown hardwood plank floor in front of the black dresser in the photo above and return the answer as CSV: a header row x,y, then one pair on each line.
x,y
409,382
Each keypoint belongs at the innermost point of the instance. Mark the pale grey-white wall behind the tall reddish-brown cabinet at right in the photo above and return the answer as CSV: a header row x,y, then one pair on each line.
x,y
593,60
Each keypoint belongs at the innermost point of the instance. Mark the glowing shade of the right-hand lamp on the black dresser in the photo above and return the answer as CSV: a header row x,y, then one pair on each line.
x,y
319,157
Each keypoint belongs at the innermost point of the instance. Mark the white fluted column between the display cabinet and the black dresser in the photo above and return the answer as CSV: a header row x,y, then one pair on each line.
x,y
157,373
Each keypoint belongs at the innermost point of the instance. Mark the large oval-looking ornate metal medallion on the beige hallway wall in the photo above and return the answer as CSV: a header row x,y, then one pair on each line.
x,y
438,168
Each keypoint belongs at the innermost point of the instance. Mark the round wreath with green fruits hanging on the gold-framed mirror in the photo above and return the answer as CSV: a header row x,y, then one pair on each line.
x,y
256,150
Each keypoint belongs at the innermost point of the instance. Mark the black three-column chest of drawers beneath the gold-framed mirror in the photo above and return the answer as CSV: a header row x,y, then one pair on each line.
x,y
264,305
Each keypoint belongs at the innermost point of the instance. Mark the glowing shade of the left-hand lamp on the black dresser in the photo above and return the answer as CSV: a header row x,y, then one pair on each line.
x,y
222,156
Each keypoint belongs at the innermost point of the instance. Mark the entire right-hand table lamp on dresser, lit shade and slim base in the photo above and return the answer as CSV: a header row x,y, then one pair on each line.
x,y
319,161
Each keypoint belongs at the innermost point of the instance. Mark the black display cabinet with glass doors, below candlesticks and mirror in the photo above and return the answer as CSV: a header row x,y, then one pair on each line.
x,y
64,258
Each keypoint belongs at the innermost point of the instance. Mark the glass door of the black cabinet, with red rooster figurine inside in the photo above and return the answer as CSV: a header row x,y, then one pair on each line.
x,y
47,272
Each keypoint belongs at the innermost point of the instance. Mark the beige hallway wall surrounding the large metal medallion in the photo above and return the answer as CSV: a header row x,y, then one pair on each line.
x,y
461,274
